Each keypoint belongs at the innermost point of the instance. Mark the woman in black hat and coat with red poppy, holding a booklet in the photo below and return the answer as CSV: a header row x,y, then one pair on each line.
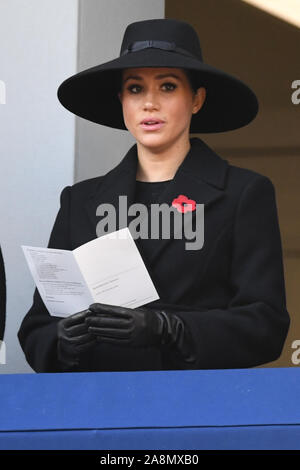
x,y
221,305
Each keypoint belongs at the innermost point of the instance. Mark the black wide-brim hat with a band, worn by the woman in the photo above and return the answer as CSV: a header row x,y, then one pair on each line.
x,y
93,93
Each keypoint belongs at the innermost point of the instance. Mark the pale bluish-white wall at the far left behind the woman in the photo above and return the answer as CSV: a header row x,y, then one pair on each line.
x,y
38,50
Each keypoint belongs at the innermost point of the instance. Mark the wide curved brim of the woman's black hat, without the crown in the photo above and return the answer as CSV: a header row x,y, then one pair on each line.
x,y
93,93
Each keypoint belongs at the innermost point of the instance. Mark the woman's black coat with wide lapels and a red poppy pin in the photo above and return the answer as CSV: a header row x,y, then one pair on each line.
x,y
230,294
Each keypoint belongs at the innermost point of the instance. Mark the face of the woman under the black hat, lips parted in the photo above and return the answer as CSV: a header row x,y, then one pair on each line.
x,y
163,95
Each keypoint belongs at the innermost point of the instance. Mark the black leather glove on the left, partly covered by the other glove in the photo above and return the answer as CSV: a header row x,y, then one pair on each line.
x,y
73,339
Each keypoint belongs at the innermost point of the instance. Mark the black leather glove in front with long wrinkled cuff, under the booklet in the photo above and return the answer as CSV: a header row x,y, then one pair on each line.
x,y
139,327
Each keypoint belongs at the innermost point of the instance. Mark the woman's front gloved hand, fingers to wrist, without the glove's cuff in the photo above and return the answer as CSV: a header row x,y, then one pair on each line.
x,y
139,327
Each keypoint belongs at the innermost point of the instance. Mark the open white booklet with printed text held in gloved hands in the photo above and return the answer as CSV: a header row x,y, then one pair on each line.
x,y
109,270
